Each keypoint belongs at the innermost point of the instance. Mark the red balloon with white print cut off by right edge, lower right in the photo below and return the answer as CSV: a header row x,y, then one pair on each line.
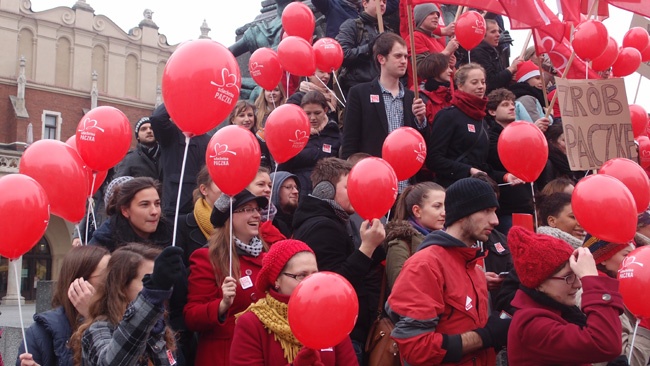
x,y
634,279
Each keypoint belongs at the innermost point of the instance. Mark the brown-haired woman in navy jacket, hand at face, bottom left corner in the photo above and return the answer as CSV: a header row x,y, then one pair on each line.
x,y
82,271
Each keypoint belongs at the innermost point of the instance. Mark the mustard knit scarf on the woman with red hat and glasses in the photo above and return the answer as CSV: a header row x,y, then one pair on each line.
x,y
274,315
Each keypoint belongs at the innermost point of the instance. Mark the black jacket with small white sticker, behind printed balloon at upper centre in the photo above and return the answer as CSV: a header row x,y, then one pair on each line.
x,y
321,145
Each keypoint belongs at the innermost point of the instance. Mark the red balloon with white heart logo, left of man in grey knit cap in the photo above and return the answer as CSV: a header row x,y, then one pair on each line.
x,y
103,137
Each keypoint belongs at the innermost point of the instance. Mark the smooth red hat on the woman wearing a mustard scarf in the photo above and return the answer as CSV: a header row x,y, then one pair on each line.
x,y
277,257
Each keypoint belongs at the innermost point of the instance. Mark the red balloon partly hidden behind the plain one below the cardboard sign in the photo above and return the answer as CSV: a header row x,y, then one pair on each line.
x,y
633,176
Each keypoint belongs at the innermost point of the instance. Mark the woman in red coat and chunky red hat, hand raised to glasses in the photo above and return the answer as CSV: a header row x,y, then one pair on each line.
x,y
548,328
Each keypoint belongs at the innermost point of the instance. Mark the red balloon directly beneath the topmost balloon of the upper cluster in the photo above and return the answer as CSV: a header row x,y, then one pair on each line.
x,y
297,56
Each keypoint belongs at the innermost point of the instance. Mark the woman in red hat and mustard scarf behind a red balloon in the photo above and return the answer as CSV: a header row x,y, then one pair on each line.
x,y
262,334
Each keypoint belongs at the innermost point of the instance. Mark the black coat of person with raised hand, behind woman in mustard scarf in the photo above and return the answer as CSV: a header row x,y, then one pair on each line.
x,y
316,224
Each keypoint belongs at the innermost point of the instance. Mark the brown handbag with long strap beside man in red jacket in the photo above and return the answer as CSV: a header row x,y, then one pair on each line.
x,y
381,349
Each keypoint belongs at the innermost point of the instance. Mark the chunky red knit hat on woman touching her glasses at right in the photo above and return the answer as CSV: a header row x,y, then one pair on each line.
x,y
536,257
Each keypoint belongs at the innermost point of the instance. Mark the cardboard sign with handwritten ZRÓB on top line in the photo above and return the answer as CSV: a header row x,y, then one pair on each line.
x,y
596,120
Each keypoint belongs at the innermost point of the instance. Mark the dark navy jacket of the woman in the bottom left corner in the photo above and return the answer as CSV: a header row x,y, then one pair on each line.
x,y
48,339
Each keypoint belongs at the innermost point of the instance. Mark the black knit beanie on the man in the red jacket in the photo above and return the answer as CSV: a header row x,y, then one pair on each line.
x,y
467,196
